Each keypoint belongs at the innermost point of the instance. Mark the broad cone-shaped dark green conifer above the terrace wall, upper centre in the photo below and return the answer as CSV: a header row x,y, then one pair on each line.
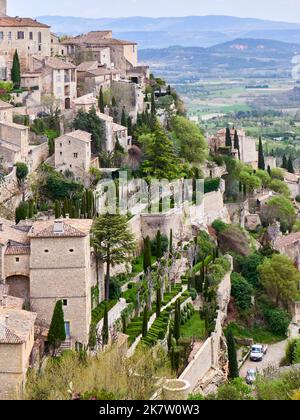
x,y
160,161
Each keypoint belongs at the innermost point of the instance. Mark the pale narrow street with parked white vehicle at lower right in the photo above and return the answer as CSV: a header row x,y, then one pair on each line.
x,y
272,359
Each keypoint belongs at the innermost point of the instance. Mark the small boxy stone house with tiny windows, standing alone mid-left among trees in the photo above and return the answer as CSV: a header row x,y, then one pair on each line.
x,y
73,153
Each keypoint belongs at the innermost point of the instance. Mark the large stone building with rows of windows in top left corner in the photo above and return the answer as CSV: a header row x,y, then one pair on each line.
x,y
25,35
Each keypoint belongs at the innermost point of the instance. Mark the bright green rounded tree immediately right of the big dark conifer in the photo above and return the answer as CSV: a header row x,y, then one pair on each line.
x,y
189,139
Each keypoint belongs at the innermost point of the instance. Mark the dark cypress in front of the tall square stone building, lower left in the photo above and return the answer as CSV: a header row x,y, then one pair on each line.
x,y
57,332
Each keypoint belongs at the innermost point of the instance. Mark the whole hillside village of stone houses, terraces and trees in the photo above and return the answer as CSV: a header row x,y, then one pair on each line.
x,y
179,293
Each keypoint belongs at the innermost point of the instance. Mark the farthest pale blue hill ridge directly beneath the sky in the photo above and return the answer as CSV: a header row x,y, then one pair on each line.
x,y
203,31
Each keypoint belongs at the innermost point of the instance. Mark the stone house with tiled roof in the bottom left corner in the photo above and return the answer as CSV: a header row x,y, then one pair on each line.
x,y
16,344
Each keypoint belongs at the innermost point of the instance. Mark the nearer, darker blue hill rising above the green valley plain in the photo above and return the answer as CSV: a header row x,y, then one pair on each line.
x,y
249,58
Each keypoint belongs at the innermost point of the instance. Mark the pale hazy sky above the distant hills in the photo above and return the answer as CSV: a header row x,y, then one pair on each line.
x,y
285,10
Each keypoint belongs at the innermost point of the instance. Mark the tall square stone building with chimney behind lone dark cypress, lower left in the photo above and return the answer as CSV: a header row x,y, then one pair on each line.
x,y
60,269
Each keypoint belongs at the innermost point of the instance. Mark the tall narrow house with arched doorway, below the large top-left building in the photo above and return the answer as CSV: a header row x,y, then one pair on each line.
x,y
58,79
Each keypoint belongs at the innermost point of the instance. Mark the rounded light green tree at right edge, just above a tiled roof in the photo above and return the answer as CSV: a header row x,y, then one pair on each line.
x,y
281,209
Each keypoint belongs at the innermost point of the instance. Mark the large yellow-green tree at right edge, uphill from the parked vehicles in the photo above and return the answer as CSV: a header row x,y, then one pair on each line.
x,y
280,278
